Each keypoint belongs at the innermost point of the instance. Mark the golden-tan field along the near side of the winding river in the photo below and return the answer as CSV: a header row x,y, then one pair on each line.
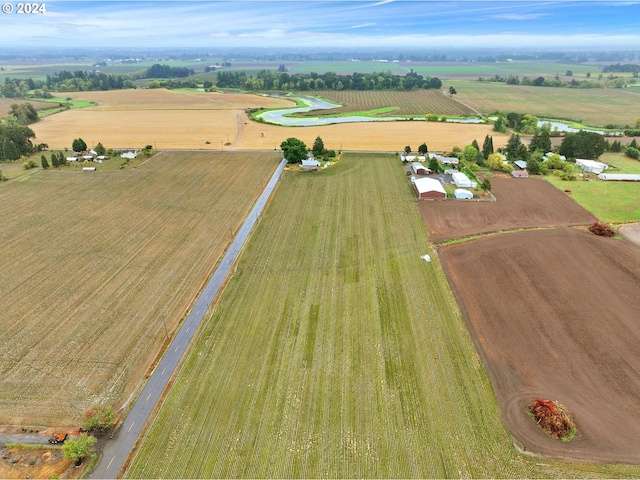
x,y
175,120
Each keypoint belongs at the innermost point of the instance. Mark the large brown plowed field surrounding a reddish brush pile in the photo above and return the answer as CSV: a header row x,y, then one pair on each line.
x,y
554,314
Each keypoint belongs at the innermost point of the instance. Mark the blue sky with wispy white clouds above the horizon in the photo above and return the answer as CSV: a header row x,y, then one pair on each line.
x,y
389,24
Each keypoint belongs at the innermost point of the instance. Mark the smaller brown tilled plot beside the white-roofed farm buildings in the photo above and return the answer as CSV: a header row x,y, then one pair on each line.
x,y
520,203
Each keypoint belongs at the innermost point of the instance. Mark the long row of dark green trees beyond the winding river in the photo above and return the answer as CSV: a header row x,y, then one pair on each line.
x,y
272,80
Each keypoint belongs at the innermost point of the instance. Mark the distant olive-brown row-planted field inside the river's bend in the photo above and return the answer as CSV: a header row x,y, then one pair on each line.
x,y
416,102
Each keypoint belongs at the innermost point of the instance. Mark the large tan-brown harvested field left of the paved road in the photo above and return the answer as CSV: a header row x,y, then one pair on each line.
x,y
94,265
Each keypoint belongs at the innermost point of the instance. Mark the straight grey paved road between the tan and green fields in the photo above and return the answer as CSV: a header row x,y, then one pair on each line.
x,y
117,450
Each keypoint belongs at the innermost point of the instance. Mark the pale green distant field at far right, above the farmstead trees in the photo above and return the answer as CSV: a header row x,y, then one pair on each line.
x,y
596,107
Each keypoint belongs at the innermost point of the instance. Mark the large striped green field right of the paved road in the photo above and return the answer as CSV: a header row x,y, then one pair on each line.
x,y
337,352
